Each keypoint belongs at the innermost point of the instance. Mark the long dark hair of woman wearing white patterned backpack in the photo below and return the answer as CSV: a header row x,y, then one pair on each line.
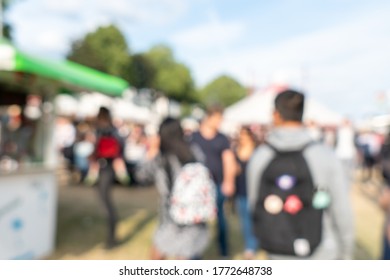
x,y
172,141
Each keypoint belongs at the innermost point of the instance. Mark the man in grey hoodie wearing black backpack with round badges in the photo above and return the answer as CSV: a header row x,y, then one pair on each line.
x,y
297,191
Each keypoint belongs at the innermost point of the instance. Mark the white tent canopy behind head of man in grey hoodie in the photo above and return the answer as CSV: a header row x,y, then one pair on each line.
x,y
258,107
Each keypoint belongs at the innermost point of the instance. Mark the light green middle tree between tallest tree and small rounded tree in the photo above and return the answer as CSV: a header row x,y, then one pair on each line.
x,y
171,77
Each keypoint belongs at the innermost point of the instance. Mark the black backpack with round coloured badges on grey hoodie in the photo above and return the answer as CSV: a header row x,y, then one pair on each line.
x,y
284,219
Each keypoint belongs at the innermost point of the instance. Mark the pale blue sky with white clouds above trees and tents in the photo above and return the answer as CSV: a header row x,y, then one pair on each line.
x,y
336,51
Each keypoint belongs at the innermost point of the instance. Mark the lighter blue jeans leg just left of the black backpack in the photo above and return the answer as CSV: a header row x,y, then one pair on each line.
x,y
250,240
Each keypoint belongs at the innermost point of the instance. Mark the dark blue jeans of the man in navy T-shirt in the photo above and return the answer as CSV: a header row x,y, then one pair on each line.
x,y
222,224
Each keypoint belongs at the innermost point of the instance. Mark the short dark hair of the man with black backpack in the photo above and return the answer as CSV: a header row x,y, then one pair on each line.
x,y
290,105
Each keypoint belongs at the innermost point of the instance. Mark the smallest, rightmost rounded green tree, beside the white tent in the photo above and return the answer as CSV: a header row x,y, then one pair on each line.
x,y
223,90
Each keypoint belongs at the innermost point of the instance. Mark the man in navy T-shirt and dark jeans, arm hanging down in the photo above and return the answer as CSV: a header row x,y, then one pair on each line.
x,y
219,158
